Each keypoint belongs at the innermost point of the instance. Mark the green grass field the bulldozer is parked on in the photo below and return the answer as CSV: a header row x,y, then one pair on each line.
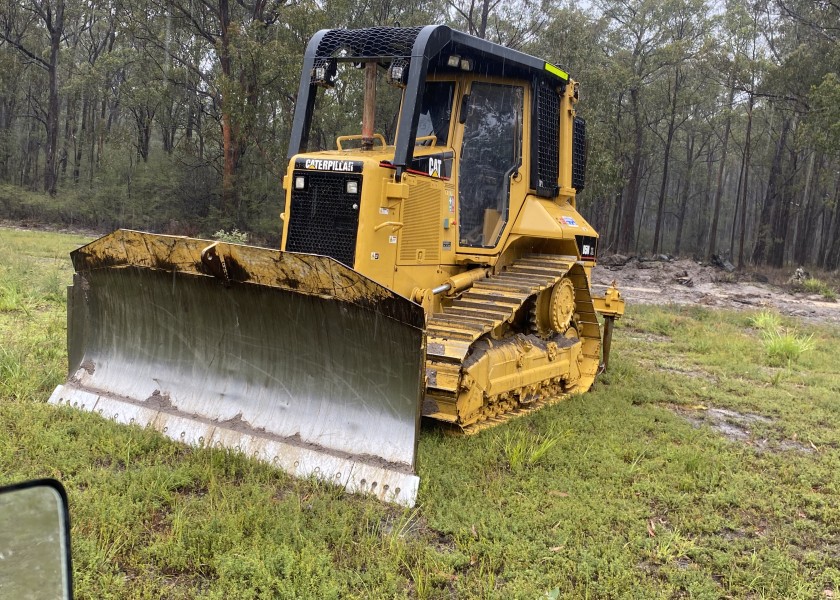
x,y
706,464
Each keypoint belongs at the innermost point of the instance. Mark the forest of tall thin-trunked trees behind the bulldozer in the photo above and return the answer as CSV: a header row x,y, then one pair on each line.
x,y
714,127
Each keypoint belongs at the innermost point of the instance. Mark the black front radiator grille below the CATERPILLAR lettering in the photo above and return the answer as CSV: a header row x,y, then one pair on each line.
x,y
324,218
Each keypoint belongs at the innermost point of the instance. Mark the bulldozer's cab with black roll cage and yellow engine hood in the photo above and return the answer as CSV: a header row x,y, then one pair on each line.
x,y
480,119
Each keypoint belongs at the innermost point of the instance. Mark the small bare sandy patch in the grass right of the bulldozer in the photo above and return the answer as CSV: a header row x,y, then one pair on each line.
x,y
738,427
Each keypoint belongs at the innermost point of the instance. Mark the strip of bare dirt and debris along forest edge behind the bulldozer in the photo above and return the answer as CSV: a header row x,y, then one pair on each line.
x,y
664,281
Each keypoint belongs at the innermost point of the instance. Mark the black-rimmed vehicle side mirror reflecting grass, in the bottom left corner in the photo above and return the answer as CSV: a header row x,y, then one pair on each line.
x,y
35,541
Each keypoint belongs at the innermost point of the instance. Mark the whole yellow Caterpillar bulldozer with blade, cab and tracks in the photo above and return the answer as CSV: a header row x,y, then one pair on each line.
x,y
444,273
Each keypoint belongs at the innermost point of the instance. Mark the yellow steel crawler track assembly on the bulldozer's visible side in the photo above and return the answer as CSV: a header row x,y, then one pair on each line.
x,y
489,315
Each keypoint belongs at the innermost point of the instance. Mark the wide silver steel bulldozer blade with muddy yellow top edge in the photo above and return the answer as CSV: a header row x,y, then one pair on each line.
x,y
294,359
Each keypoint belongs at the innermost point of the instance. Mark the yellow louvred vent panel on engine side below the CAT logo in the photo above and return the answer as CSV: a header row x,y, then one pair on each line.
x,y
421,215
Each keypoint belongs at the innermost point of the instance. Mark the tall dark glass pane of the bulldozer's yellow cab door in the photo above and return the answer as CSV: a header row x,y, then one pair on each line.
x,y
490,162
